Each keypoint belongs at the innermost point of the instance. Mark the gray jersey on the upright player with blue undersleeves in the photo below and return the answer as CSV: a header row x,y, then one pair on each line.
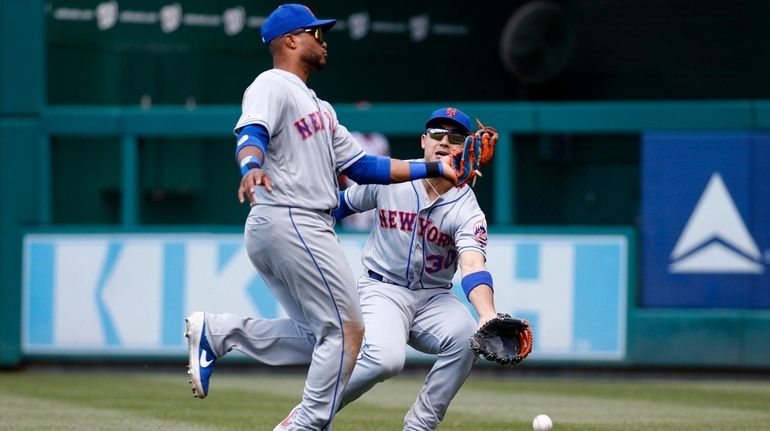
x,y
308,147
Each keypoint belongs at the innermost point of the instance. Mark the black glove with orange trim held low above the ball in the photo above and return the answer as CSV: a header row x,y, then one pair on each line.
x,y
503,339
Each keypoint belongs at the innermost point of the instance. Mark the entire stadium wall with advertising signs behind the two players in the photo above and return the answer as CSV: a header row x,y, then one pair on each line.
x,y
628,198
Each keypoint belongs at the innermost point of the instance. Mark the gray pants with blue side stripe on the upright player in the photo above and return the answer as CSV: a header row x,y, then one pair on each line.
x,y
298,255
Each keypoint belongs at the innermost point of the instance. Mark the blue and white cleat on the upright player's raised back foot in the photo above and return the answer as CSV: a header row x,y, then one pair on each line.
x,y
201,356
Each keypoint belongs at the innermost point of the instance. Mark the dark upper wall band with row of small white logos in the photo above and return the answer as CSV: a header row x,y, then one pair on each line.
x,y
203,52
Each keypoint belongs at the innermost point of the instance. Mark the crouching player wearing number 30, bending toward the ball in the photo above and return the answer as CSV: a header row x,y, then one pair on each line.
x,y
424,230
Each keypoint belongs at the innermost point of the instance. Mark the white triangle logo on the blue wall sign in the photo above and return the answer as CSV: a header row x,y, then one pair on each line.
x,y
715,239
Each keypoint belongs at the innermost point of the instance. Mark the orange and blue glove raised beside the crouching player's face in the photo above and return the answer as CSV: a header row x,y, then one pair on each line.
x,y
477,151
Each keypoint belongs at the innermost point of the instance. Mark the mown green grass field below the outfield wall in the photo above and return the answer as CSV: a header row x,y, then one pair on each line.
x,y
255,400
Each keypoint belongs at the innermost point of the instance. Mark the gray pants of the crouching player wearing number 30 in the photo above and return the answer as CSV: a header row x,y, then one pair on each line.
x,y
432,321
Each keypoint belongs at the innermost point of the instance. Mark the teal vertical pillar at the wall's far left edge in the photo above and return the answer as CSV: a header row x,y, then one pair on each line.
x,y
22,96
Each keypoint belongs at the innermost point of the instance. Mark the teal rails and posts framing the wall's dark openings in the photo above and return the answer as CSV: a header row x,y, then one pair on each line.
x,y
655,337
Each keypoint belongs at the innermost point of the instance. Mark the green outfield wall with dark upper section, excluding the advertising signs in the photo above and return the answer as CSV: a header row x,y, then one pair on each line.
x,y
117,123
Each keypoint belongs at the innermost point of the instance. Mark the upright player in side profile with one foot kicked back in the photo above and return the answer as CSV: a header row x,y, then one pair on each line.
x,y
291,149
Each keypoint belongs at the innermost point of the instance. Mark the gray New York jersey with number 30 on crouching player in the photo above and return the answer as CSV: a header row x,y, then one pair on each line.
x,y
415,243
